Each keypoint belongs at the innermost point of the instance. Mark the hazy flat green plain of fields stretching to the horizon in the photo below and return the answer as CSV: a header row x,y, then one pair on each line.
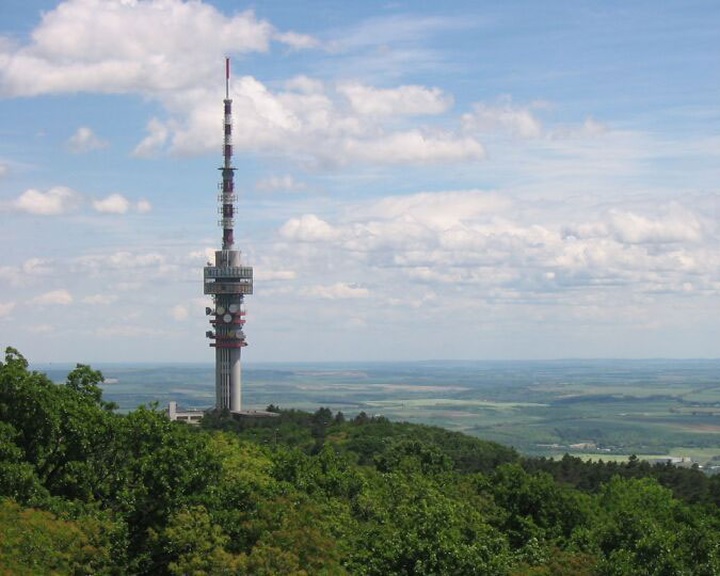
x,y
595,408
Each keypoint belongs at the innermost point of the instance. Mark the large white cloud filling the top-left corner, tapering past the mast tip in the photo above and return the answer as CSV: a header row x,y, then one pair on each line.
x,y
113,46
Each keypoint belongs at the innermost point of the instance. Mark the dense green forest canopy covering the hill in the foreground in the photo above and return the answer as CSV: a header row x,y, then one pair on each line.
x,y
85,490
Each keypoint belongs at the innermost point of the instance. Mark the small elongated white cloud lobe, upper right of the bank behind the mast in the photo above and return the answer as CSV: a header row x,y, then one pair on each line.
x,y
404,100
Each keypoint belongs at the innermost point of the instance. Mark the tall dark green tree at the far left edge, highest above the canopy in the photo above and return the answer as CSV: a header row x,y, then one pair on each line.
x,y
65,433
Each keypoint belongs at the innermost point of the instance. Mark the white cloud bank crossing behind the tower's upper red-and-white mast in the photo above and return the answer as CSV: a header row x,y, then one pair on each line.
x,y
311,123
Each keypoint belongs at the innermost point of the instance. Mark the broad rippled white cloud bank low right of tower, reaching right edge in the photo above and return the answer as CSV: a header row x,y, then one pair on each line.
x,y
508,249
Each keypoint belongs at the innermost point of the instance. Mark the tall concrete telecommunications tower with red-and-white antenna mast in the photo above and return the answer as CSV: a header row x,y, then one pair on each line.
x,y
227,281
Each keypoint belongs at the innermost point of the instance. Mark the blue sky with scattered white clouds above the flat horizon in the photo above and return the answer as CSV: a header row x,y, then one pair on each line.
x,y
417,180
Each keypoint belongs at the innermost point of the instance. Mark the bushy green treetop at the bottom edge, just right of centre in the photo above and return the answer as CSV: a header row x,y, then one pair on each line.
x,y
411,526
